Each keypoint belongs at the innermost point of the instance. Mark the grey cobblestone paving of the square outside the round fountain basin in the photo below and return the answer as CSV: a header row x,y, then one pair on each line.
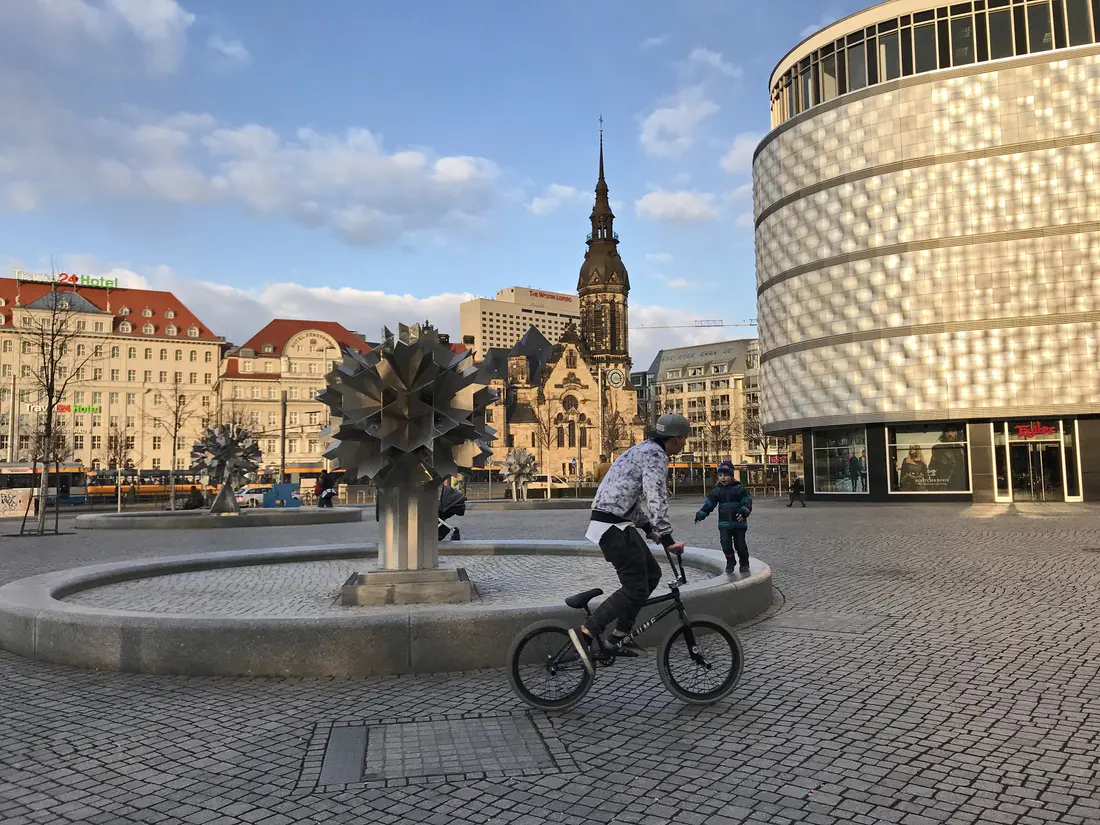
x,y
925,664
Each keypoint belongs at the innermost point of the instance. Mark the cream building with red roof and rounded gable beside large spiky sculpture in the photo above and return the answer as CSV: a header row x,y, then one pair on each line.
x,y
280,370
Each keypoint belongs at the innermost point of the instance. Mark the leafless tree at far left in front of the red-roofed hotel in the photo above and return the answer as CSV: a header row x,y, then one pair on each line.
x,y
49,337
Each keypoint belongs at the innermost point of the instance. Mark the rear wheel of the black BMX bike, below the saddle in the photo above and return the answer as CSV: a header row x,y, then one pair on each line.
x,y
544,668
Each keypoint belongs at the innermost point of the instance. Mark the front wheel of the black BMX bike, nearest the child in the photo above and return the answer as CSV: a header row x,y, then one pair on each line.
x,y
707,672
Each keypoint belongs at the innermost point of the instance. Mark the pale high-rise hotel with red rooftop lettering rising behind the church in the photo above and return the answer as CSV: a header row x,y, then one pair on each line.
x,y
487,324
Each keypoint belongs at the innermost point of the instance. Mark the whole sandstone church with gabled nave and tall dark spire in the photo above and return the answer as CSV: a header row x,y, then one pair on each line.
x,y
571,402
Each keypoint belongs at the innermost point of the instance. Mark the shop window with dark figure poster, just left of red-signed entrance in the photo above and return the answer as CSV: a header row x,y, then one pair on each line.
x,y
929,459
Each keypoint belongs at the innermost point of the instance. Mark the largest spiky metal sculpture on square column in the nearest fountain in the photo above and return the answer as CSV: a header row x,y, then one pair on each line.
x,y
412,413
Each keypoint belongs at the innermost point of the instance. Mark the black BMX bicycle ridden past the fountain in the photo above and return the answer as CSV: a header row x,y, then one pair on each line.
x,y
700,662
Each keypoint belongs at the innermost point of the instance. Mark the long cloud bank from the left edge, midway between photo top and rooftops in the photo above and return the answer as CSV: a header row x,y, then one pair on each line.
x,y
350,183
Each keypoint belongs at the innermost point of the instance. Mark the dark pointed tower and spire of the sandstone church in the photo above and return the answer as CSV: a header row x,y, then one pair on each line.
x,y
604,285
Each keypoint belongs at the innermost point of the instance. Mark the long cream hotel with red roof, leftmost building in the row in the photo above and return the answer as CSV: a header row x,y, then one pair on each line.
x,y
135,372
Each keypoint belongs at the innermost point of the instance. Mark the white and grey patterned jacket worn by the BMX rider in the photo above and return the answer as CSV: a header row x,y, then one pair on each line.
x,y
636,490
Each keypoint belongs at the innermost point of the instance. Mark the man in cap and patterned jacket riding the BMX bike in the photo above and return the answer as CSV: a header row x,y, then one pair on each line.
x,y
631,505
